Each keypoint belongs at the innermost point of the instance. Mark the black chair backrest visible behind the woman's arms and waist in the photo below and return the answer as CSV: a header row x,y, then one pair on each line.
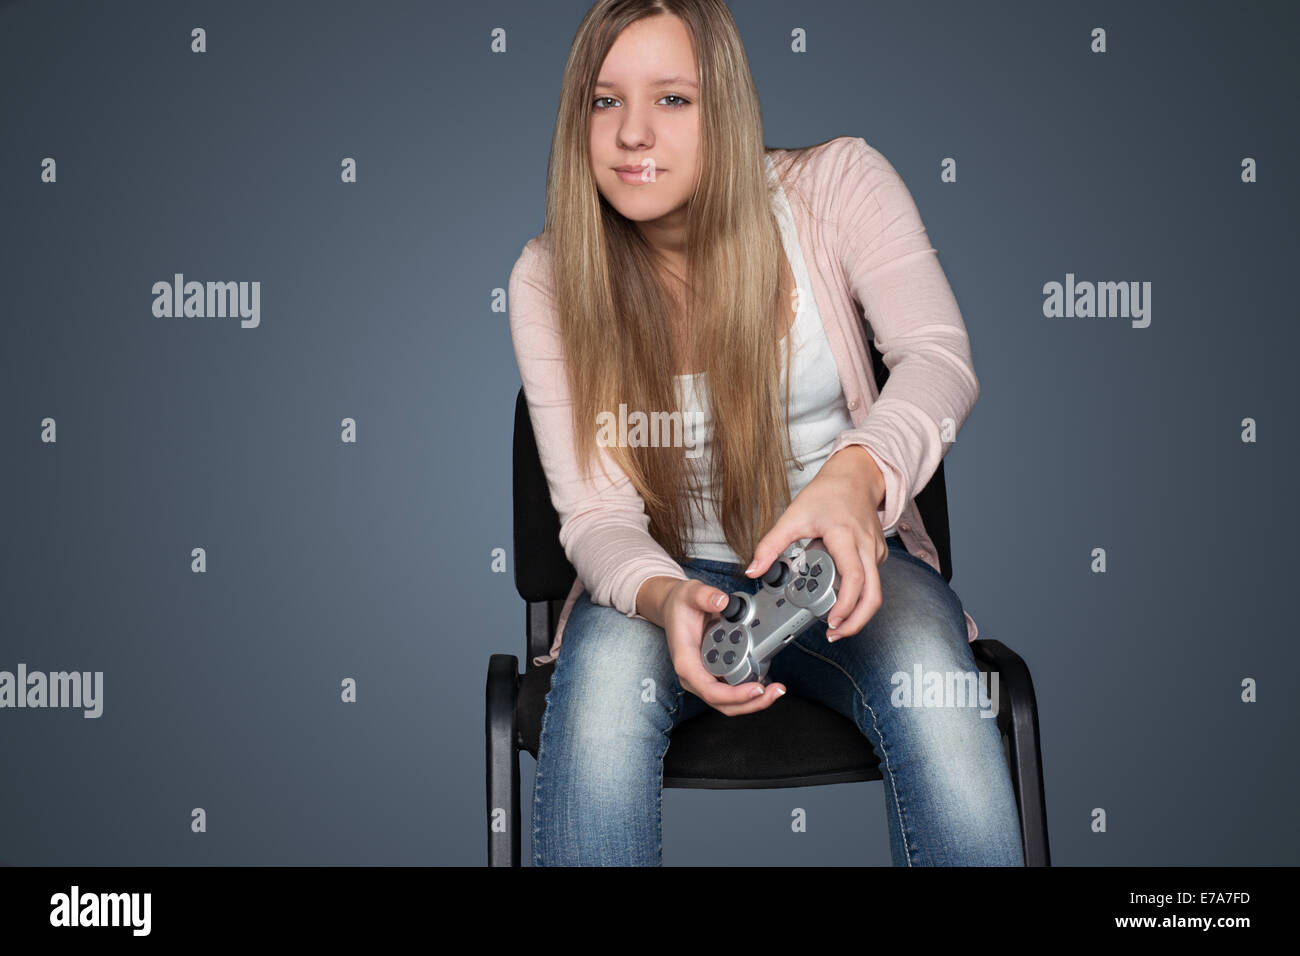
x,y
544,574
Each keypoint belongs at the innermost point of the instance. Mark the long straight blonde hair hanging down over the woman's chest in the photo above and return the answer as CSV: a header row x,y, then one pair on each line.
x,y
616,308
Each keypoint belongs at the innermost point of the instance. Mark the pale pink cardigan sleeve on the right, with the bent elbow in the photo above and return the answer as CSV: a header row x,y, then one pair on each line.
x,y
895,275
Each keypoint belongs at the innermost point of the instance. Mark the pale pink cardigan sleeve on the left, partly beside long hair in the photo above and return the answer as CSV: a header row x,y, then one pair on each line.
x,y
604,524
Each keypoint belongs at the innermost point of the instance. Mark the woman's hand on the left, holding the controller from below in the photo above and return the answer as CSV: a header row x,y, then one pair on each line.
x,y
687,609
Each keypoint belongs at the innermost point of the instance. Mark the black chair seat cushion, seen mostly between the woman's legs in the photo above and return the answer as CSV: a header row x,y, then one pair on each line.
x,y
792,743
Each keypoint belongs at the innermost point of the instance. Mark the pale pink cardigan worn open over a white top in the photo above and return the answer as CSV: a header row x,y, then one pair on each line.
x,y
864,243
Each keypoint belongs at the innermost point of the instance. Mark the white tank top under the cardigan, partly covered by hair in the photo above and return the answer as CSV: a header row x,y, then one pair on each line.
x,y
818,412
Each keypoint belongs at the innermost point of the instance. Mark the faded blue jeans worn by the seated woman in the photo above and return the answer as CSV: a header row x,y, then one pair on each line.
x,y
616,699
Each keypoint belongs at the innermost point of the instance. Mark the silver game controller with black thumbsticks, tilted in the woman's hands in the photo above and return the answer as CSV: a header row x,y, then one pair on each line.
x,y
799,589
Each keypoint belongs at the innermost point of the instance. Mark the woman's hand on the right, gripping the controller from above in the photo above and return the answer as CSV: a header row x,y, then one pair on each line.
x,y
839,505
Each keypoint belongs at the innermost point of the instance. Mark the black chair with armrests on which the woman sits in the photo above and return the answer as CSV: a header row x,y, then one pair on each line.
x,y
799,743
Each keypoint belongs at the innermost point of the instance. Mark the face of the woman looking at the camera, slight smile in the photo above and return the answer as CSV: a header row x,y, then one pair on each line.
x,y
645,115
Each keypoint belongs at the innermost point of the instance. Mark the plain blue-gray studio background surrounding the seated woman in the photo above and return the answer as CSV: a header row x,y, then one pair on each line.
x,y
372,561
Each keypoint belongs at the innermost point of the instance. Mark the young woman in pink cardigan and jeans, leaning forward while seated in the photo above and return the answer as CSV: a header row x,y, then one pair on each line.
x,y
687,269
